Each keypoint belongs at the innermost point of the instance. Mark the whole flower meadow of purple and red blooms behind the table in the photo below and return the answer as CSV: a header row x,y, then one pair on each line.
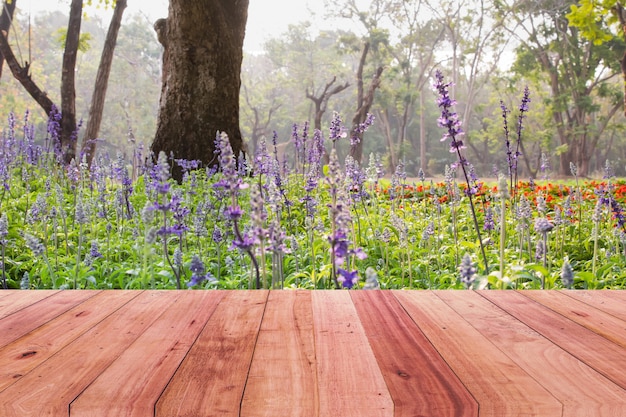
x,y
307,221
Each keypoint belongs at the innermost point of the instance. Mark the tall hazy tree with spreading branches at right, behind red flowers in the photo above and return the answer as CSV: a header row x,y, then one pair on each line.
x,y
578,73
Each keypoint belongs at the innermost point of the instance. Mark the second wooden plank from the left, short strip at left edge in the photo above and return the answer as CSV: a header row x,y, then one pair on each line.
x,y
29,318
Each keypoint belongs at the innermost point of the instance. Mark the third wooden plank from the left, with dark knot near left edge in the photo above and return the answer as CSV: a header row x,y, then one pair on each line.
x,y
17,359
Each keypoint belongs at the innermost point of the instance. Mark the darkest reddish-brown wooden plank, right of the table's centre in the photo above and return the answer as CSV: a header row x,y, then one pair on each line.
x,y
420,382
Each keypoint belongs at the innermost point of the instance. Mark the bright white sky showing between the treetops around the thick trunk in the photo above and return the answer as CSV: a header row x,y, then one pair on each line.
x,y
266,18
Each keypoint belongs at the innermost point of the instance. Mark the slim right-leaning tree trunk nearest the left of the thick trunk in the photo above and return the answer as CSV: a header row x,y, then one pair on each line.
x,y
102,80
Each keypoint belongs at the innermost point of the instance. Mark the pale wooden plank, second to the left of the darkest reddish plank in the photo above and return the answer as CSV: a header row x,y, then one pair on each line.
x,y
283,376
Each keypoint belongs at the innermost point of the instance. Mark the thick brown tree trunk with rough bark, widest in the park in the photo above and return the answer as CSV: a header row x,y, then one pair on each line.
x,y
200,94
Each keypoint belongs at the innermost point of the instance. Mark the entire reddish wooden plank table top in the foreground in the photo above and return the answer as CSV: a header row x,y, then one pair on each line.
x,y
312,353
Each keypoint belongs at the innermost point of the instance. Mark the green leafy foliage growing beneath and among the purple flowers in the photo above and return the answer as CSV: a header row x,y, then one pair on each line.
x,y
388,222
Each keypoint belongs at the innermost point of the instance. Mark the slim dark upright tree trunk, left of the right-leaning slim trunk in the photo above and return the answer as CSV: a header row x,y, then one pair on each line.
x,y
68,89
